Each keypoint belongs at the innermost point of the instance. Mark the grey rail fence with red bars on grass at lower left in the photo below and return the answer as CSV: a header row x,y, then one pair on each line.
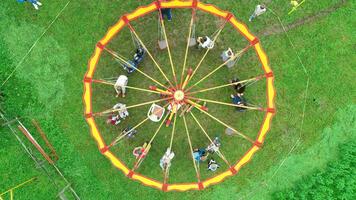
x,y
49,168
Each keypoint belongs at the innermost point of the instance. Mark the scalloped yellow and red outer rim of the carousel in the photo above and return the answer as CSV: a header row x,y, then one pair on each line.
x,y
141,11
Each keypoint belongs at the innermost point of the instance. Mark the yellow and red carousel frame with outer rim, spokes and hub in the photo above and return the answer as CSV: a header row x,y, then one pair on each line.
x,y
183,93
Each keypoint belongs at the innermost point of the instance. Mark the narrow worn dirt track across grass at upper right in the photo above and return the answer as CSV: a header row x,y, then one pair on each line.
x,y
277,29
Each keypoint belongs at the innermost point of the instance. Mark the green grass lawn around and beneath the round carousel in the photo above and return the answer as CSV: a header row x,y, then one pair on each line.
x,y
48,87
